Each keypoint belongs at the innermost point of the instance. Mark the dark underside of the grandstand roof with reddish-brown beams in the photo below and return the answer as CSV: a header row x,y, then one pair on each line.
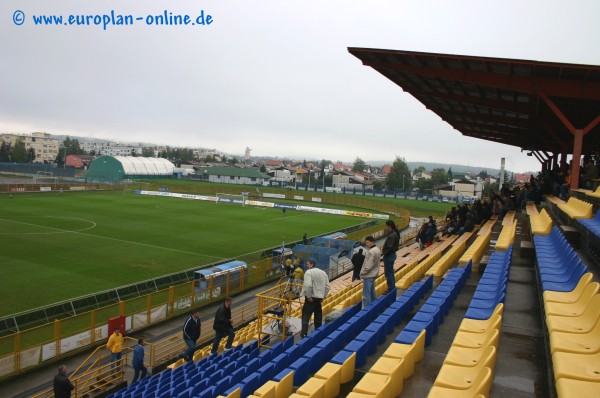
x,y
509,101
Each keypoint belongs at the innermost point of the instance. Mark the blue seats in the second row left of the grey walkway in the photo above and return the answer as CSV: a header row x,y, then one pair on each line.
x,y
436,308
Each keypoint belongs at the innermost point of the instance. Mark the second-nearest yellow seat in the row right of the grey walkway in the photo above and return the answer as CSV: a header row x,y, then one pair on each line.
x,y
577,366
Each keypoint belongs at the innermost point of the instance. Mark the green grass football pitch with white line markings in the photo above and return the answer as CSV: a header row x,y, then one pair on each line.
x,y
60,246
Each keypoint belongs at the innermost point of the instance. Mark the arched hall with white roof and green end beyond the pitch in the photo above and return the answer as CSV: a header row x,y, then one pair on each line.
x,y
118,168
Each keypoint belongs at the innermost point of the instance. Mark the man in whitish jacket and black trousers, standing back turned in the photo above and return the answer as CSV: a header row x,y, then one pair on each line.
x,y
314,290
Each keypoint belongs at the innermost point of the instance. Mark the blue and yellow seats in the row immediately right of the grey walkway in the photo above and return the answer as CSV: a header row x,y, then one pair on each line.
x,y
572,312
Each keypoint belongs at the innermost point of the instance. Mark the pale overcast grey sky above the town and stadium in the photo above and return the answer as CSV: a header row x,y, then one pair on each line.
x,y
272,75
